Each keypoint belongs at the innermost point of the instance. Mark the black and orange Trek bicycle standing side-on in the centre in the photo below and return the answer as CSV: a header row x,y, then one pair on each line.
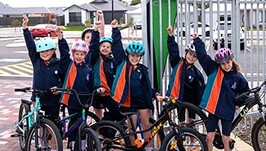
x,y
113,136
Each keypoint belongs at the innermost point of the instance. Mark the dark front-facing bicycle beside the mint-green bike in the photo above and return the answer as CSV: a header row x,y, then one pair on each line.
x,y
83,123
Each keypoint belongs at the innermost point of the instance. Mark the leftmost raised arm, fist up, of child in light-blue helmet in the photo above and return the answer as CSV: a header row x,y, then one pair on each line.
x,y
31,46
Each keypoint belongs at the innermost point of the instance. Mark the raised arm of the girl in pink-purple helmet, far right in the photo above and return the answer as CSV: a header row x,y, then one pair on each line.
x,y
205,60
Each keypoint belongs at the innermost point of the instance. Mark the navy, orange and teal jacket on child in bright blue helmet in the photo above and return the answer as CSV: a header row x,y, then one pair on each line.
x,y
131,87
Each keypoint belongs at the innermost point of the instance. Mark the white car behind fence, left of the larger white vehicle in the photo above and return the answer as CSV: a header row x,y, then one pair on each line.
x,y
193,30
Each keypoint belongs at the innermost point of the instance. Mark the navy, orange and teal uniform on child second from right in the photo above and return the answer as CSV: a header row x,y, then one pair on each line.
x,y
186,84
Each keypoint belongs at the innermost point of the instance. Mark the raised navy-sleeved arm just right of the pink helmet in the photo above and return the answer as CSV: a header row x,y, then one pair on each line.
x,y
94,53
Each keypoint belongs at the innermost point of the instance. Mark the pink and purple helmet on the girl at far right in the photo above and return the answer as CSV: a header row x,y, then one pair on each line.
x,y
223,55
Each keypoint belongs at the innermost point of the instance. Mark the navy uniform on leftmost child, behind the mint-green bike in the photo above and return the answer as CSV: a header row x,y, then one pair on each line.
x,y
45,76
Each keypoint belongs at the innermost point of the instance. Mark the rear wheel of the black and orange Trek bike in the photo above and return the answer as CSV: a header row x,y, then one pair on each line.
x,y
111,135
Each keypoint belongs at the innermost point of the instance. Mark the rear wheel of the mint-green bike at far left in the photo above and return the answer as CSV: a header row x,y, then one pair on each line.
x,y
23,111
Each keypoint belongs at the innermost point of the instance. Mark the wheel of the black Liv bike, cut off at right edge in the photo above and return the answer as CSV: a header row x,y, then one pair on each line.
x,y
260,125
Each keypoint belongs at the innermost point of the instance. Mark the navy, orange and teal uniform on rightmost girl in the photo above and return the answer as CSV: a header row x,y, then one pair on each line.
x,y
221,88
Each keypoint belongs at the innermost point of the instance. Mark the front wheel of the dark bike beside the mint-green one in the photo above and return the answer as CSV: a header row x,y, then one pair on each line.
x,y
92,142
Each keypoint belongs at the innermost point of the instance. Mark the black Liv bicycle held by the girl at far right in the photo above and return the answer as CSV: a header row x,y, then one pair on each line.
x,y
252,97
